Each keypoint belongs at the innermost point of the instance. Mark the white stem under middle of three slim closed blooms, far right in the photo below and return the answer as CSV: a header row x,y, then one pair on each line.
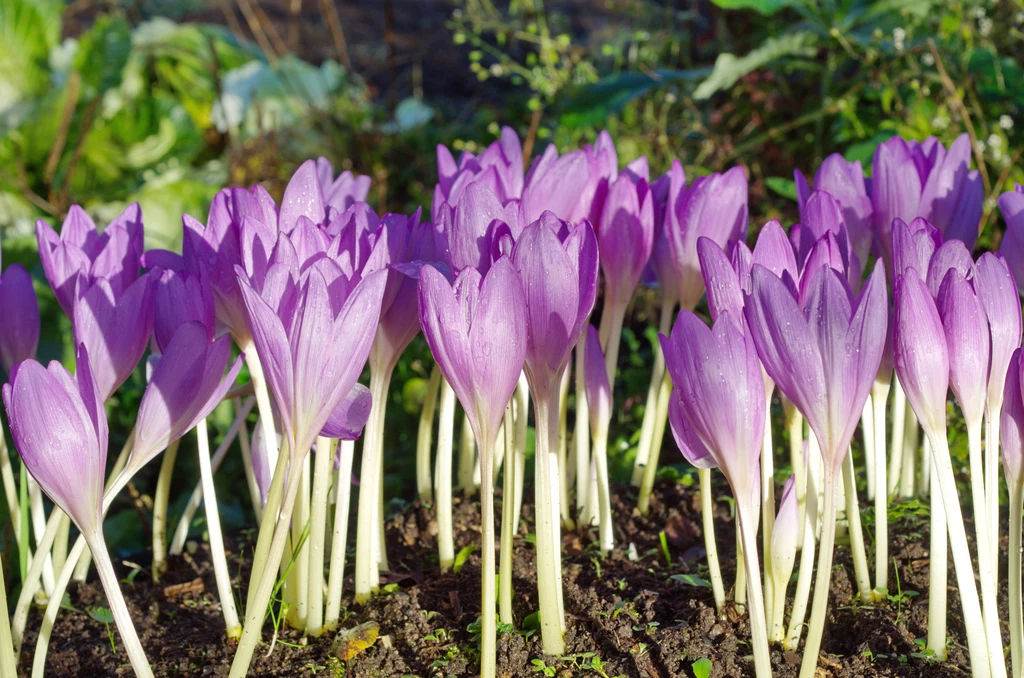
x,y
984,534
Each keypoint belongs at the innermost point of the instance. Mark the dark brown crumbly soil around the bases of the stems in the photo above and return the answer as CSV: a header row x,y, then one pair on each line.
x,y
630,615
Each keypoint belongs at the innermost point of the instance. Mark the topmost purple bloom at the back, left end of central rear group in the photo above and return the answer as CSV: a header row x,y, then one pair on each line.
x,y
500,168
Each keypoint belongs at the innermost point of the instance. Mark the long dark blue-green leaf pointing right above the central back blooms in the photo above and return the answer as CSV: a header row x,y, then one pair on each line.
x,y
593,104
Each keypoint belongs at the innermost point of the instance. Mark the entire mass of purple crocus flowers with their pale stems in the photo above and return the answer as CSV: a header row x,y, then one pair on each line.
x,y
503,280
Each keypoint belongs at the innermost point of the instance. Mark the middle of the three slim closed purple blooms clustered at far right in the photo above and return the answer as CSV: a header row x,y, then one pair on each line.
x,y
967,340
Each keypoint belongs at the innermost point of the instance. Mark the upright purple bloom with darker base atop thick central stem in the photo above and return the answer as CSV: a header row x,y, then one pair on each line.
x,y
559,267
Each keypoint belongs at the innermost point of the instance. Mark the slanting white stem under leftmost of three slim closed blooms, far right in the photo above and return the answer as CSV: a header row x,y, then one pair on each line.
x,y
982,664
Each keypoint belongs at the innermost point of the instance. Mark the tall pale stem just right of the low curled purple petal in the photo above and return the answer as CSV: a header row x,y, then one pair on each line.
x,y
369,545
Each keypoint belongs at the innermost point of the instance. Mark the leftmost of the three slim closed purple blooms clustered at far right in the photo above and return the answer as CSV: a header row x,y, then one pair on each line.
x,y
920,354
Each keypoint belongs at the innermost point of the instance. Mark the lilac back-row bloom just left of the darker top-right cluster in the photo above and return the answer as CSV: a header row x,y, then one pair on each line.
x,y
845,183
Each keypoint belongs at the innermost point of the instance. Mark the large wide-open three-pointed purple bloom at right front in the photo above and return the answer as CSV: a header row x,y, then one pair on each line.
x,y
825,356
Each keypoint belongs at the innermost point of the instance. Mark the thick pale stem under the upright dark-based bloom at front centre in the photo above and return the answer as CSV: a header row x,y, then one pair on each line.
x,y
548,573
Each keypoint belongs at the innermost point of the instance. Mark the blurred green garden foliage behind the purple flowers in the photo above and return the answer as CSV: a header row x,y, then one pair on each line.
x,y
164,102
